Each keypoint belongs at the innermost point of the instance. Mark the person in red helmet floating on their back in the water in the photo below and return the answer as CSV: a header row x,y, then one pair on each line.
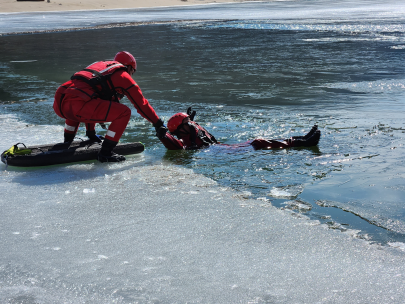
x,y
191,135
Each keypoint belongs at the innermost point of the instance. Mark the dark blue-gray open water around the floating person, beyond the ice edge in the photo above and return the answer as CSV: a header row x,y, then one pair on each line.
x,y
272,73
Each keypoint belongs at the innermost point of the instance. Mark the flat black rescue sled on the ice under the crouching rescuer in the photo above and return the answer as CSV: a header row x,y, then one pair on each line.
x,y
52,154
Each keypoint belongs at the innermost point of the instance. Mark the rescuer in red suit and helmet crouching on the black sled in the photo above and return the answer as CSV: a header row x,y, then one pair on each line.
x,y
92,96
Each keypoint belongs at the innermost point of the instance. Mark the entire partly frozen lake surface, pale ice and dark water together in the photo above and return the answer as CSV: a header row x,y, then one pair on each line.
x,y
214,226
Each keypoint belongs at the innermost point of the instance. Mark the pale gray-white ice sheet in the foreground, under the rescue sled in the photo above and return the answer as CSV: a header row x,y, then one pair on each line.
x,y
148,232
